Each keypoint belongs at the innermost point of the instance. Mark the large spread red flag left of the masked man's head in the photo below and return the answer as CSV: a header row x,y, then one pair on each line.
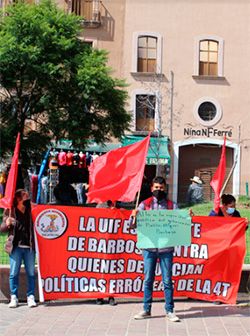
x,y
117,175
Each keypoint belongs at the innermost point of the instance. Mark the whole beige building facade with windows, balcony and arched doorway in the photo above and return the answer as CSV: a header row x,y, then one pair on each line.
x,y
187,66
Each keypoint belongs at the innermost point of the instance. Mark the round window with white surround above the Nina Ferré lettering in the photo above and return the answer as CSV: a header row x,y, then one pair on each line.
x,y
207,111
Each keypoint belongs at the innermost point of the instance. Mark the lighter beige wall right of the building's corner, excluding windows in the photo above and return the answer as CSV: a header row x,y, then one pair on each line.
x,y
180,24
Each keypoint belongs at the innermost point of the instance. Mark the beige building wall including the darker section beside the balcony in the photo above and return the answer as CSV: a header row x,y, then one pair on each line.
x,y
178,26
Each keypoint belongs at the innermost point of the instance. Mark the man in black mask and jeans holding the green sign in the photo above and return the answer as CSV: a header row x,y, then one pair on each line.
x,y
150,256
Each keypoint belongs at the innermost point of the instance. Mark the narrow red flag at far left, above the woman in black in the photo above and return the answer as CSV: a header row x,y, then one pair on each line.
x,y
7,201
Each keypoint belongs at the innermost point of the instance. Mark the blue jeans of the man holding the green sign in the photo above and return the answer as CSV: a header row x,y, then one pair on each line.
x,y
166,261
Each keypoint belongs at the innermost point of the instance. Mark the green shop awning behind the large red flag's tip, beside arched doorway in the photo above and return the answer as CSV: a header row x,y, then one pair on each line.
x,y
157,152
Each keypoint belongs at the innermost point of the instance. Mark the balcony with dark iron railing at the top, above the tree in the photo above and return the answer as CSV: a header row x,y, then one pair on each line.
x,y
89,10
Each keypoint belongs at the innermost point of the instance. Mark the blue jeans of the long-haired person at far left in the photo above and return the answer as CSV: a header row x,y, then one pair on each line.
x,y
16,257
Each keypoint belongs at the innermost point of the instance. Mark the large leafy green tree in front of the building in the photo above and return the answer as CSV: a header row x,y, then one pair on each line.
x,y
52,80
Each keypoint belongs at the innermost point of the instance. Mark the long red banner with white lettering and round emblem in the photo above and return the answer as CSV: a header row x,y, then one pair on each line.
x,y
91,253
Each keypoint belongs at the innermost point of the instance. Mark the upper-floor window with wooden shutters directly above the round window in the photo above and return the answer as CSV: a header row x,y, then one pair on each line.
x,y
208,58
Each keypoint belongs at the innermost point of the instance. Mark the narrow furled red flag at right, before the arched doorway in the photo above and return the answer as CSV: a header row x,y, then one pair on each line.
x,y
218,178
